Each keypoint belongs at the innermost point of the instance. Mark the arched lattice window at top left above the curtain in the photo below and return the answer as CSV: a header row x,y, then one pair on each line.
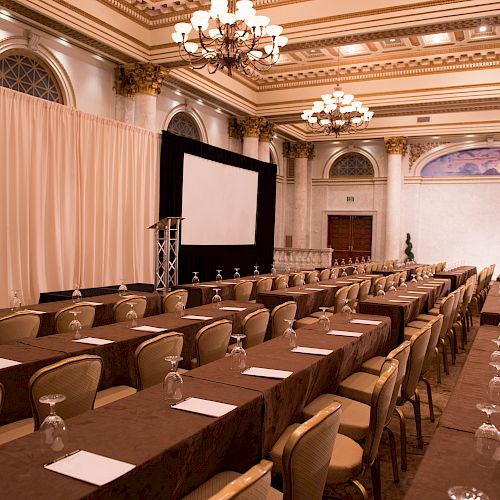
x,y
27,73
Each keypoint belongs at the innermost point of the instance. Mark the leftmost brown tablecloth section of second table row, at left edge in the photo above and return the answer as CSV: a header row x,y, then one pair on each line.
x,y
15,379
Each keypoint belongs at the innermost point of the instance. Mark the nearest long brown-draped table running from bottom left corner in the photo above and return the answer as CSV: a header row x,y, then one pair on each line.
x,y
176,451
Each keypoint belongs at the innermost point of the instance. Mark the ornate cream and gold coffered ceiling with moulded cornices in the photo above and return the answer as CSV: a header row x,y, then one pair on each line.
x,y
423,67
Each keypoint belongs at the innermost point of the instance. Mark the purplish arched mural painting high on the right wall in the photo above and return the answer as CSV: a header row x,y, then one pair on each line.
x,y
469,163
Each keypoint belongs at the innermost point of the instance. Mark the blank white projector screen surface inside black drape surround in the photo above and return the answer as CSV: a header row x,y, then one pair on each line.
x,y
219,203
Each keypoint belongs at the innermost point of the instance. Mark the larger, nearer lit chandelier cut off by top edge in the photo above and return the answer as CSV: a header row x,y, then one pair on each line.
x,y
230,36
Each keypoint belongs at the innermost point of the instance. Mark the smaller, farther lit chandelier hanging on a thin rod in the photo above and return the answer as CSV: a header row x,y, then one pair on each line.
x,y
337,112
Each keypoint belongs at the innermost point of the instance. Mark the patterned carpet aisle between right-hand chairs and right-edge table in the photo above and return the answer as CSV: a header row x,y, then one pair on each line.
x,y
440,393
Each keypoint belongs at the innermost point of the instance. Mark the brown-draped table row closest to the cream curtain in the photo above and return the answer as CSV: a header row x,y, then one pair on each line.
x,y
103,312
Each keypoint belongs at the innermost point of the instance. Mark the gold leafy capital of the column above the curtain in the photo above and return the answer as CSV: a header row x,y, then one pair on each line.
x,y
139,78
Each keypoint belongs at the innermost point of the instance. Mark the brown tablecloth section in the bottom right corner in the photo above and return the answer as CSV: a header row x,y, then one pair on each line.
x,y
450,461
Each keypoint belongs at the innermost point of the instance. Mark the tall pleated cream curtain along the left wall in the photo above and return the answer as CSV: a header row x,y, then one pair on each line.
x,y
77,192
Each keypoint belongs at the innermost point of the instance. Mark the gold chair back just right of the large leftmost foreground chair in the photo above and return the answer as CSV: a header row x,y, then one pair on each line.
x,y
149,358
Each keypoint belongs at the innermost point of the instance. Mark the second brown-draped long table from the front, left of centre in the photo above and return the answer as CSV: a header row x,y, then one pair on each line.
x,y
118,356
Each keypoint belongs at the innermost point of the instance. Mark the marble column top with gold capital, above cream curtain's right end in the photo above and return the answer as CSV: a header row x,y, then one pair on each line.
x,y
142,81
